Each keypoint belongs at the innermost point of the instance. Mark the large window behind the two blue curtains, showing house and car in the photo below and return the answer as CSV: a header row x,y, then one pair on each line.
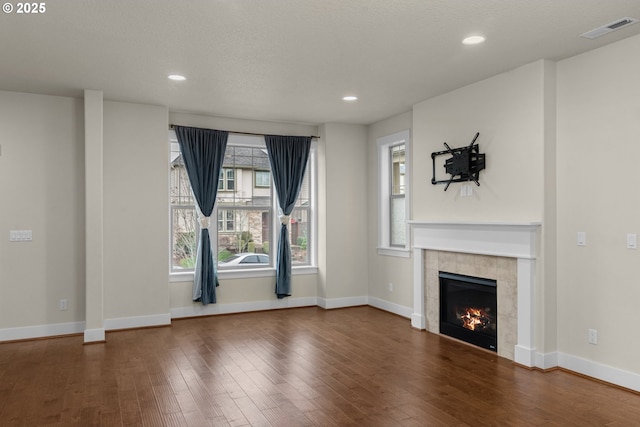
x,y
246,231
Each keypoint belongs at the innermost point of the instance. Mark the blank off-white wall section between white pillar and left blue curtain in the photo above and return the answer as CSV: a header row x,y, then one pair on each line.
x,y
136,219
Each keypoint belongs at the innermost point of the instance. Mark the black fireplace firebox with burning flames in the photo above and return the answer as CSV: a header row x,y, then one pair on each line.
x,y
468,309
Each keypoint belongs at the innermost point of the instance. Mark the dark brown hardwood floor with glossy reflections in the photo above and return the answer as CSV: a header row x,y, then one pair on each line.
x,y
300,367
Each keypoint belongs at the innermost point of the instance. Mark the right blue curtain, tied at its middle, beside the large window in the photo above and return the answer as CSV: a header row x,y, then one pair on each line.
x,y
288,156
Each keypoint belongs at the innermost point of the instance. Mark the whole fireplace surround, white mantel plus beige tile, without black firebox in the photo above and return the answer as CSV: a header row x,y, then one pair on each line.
x,y
480,249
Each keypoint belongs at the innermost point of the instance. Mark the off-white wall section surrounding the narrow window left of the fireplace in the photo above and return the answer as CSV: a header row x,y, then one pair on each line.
x,y
386,269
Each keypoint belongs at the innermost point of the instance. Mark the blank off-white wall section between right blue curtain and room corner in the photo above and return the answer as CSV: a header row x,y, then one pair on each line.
x,y
343,222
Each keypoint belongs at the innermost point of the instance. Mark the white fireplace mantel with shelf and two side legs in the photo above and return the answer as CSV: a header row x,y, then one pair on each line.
x,y
505,239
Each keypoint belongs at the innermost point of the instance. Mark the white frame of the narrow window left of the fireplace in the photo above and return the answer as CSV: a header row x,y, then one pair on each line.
x,y
384,145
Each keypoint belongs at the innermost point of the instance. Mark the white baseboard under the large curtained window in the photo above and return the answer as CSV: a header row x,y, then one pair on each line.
x,y
198,309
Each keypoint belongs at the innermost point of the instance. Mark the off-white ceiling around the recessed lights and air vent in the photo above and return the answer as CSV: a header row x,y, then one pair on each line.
x,y
289,60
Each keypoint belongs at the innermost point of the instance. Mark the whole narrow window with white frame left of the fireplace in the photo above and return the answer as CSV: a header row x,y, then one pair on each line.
x,y
393,194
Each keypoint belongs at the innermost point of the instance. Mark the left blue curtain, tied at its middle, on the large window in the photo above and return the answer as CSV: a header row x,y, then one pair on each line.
x,y
203,153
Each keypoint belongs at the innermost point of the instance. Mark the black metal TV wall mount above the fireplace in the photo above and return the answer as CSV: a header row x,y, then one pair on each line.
x,y
464,164
